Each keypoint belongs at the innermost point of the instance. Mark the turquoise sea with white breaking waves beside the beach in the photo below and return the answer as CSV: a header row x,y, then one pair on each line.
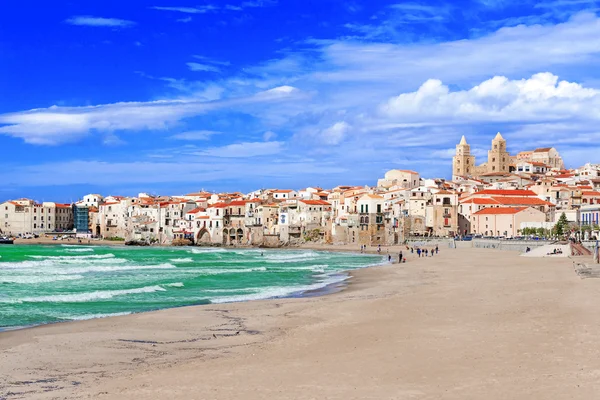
x,y
45,284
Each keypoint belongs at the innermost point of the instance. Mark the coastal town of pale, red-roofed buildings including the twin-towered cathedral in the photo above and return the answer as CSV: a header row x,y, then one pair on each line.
x,y
507,196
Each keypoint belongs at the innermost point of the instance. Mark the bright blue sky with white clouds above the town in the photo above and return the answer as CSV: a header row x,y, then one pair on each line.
x,y
171,97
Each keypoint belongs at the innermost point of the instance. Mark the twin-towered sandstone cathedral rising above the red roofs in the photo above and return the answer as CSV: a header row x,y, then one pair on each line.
x,y
500,162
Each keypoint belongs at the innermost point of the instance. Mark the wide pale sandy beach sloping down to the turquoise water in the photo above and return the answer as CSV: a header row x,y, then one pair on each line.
x,y
466,324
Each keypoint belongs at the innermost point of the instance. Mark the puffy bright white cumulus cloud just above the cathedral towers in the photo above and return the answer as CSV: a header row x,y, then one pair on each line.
x,y
541,97
